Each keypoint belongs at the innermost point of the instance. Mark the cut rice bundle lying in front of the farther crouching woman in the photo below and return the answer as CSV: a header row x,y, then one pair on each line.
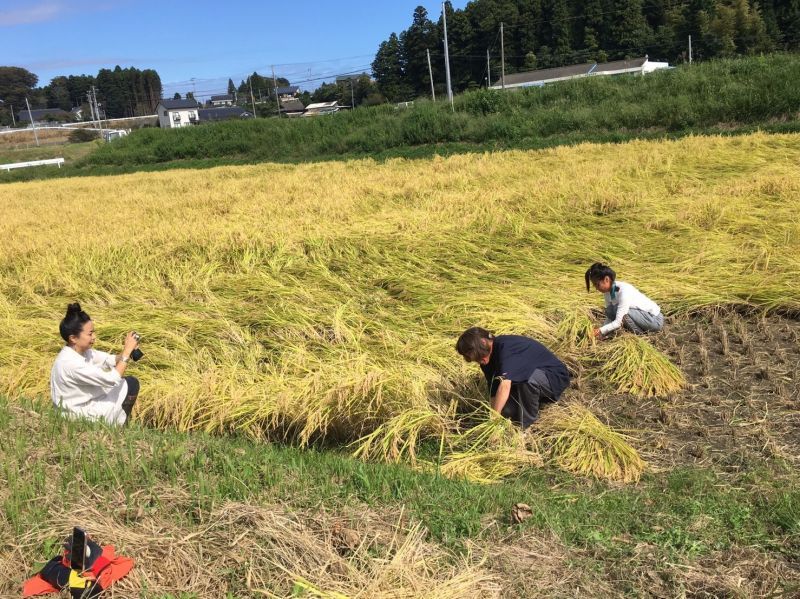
x,y
634,366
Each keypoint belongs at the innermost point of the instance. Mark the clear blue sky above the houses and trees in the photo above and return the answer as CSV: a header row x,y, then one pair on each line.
x,y
204,40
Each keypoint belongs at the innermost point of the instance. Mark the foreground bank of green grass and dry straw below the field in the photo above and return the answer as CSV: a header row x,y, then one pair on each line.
x,y
205,516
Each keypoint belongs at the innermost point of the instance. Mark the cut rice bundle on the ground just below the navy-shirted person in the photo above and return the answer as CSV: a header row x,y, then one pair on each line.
x,y
578,442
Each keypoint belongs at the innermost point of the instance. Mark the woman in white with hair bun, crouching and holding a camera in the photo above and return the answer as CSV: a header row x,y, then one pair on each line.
x,y
88,383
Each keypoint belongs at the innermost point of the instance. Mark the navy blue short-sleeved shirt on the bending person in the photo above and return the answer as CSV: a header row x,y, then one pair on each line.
x,y
515,357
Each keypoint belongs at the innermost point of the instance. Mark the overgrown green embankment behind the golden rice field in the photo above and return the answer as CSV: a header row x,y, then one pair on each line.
x,y
726,96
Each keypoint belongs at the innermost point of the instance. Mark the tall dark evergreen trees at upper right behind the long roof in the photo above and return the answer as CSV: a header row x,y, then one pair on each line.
x,y
551,33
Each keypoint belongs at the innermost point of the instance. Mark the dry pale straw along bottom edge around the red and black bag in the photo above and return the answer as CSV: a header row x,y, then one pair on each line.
x,y
275,553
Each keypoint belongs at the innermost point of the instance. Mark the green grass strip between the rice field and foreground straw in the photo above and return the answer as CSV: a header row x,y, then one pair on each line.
x,y
687,512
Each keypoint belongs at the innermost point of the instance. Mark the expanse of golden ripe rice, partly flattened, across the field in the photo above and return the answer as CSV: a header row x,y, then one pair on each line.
x,y
322,301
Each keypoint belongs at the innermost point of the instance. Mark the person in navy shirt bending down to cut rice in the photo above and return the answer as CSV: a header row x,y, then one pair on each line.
x,y
520,372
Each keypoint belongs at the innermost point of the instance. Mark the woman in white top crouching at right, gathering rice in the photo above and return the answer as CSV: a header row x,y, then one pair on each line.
x,y
626,306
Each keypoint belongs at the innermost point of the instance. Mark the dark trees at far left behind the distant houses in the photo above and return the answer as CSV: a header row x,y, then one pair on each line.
x,y
120,92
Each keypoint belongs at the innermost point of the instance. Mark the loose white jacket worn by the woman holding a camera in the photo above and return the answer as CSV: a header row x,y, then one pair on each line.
x,y
88,385
